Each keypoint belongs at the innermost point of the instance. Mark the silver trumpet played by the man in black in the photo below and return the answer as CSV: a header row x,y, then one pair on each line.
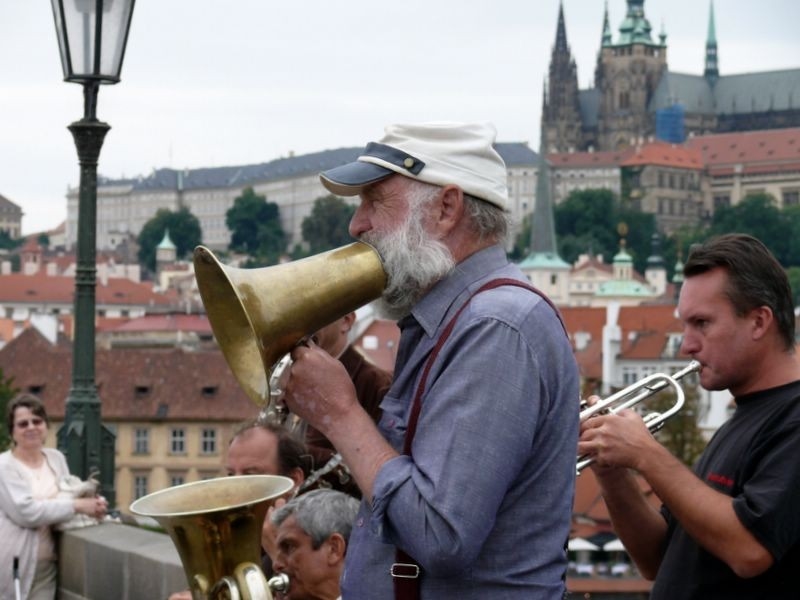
x,y
636,393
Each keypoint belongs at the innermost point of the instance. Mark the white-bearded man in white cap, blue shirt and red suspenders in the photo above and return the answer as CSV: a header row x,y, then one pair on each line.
x,y
468,479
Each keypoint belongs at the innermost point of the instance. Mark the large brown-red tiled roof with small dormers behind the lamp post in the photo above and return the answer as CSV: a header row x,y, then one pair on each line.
x,y
133,384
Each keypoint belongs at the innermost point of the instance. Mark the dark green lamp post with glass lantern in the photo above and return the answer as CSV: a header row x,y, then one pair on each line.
x,y
92,35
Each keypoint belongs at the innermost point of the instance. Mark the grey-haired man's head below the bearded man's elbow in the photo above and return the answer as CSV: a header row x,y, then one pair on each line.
x,y
312,534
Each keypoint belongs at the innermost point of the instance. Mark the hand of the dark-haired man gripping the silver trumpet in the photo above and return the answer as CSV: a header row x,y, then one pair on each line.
x,y
615,440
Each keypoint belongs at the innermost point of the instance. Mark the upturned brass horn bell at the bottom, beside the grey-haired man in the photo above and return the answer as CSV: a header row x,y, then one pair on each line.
x,y
216,525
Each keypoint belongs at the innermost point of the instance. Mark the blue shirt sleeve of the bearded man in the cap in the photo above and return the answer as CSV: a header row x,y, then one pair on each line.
x,y
475,431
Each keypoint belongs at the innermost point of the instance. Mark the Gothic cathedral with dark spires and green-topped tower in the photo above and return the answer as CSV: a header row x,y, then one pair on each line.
x,y
636,97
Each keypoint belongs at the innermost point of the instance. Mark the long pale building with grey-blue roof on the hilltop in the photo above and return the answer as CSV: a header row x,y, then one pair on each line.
x,y
125,206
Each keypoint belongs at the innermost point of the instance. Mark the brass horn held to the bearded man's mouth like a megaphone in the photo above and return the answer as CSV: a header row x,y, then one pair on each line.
x,y
259,315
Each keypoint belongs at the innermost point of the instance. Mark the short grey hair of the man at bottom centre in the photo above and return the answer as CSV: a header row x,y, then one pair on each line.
x,y
320,513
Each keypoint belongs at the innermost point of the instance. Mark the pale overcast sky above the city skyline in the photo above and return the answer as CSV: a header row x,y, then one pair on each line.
x,y
228,82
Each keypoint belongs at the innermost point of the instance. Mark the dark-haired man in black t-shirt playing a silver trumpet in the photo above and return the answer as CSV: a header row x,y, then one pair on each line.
x,y
729,529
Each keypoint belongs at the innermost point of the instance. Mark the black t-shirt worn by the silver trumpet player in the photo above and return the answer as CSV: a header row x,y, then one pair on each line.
x,y
755,459
